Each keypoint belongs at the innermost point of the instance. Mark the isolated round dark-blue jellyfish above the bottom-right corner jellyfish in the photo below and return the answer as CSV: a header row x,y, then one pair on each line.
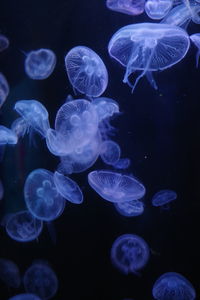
x,y
129,253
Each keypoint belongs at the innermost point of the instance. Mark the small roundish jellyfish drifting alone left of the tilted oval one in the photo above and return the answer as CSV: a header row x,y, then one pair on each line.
x,y
39,64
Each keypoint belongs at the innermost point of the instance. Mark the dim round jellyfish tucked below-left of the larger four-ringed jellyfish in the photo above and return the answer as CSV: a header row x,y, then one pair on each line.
x,y
23,227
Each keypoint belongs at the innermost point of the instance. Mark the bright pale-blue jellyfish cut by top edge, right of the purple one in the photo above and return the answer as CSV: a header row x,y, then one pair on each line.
x,y
158,9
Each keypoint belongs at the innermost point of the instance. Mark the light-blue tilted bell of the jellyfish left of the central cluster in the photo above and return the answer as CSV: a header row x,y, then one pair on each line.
x,y
35,114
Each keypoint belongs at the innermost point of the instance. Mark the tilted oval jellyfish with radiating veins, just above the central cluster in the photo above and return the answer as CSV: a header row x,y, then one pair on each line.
x,y
86,71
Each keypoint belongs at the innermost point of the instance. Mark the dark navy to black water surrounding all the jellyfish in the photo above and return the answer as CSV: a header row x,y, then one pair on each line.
x,y
158,130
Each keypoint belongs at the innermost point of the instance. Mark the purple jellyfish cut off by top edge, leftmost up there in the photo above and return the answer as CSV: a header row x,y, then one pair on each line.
x,y
129,7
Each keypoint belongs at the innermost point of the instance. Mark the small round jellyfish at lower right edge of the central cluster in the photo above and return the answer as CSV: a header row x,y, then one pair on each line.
x,y
110,152
